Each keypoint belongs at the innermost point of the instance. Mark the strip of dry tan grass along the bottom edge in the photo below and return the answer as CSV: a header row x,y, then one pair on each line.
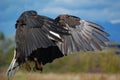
x,y
66,76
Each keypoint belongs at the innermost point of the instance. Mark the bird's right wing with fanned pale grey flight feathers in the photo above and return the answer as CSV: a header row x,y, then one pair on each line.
x,y
85,35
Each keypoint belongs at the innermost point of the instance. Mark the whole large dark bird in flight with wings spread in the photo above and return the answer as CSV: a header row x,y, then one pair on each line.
x,y
40,39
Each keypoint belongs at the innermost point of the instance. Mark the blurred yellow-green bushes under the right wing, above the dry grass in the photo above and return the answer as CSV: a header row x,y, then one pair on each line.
x,y
86,62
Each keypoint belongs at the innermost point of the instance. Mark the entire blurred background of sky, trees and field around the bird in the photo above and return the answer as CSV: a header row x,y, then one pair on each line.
x,y
103,12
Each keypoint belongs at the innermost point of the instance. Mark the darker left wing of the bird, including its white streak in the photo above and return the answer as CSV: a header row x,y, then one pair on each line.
x,y
34,31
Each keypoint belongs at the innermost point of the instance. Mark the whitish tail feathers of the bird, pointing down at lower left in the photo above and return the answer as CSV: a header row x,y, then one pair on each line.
x,y
13,67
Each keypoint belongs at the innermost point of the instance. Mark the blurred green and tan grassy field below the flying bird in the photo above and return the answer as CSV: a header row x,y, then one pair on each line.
x,y
85,66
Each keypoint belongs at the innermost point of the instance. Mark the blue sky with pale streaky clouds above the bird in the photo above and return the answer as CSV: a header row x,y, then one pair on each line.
x,y
103,12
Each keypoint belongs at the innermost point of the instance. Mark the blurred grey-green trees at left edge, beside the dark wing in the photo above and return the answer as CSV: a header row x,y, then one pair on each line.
x,y
6,49
